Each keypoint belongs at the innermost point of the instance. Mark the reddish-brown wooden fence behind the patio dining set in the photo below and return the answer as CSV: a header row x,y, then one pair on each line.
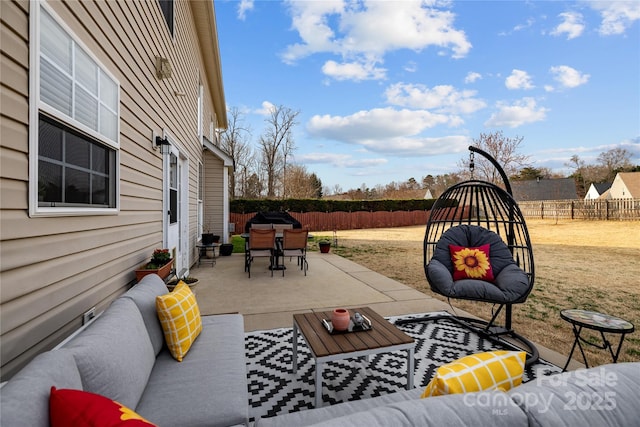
x,y
329,221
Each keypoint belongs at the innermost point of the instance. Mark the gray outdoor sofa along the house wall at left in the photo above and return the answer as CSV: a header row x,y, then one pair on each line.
x,y
122,355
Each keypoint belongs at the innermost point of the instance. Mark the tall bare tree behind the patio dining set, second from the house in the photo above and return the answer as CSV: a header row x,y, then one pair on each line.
x,y
276,143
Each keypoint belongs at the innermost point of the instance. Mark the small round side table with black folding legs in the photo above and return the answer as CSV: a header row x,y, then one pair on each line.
x,y
598,322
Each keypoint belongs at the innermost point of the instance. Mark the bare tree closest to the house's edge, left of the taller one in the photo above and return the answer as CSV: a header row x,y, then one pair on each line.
x,y
235,141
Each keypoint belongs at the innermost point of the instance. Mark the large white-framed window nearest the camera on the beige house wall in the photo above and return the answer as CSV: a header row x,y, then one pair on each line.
x,y
74,123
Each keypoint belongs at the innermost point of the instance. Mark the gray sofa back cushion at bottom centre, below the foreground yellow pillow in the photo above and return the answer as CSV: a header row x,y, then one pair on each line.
x,y
493,408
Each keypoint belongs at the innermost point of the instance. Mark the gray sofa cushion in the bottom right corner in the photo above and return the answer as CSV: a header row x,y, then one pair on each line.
x,y
606,395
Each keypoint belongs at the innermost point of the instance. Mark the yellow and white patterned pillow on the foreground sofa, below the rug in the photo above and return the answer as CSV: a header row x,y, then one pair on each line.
x,y
483,371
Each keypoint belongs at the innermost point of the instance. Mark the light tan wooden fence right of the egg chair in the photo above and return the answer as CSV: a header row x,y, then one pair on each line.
x,y
617,209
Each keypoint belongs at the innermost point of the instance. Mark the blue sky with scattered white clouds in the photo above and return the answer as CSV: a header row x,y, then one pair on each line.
x,y
389,90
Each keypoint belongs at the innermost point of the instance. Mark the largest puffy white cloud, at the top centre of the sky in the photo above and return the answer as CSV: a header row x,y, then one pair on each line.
x,y
363,32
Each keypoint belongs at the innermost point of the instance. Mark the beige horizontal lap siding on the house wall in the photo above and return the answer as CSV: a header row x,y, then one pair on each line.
x,y
53,269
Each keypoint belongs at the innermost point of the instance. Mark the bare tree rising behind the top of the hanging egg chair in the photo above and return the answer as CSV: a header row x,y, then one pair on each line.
x,y
502,148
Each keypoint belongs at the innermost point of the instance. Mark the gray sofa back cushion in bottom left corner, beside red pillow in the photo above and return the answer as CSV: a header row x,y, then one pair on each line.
x,y
24,400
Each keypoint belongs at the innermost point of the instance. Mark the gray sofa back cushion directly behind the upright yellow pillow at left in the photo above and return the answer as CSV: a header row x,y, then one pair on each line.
x,y
144,295
